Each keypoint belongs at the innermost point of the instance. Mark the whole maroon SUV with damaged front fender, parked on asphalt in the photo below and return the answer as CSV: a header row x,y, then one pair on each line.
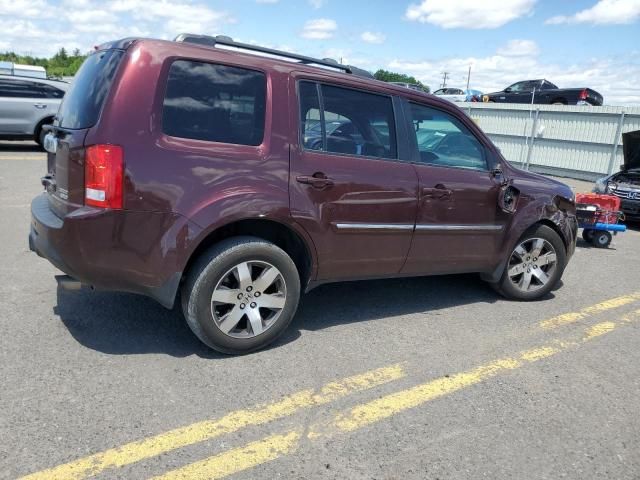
x,y
234,181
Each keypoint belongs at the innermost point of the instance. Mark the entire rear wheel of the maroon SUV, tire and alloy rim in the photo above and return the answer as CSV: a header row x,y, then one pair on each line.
x,y
240,295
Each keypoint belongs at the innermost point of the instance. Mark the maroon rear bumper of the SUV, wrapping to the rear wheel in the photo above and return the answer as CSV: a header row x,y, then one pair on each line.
x,y
138,252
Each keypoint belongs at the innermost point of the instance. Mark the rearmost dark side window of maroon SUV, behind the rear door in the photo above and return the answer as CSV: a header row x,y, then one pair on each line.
x,y
216,103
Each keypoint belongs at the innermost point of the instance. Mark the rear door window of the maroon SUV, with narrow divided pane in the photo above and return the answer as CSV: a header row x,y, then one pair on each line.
x,y
352,122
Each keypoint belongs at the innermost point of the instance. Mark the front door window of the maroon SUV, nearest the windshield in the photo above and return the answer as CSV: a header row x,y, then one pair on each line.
x,y
444,140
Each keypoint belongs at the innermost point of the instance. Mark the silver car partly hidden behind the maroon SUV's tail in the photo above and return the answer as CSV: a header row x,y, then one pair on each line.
x,y
26,104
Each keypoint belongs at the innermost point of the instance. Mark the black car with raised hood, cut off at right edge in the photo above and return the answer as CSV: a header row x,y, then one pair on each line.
x,y
626,183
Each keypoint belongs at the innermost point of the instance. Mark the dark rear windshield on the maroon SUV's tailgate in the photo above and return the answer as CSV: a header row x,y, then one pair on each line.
x,y
83,102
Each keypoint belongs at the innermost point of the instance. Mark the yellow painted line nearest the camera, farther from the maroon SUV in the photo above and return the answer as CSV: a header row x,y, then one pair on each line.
x,y
276,446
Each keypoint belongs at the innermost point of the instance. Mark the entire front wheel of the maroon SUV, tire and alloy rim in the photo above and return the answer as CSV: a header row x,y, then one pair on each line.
x,y
535,265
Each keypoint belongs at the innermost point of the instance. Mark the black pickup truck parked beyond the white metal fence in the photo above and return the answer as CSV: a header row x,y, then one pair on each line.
x,y
544,92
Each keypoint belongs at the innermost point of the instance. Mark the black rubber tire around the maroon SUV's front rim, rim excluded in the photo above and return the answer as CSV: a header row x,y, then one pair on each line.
x,y
507,288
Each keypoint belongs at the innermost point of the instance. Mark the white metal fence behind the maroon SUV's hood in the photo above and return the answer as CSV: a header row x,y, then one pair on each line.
x,y
581,142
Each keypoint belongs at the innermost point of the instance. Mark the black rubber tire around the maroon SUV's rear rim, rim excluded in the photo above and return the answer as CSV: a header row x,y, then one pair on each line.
x,y
210,269
